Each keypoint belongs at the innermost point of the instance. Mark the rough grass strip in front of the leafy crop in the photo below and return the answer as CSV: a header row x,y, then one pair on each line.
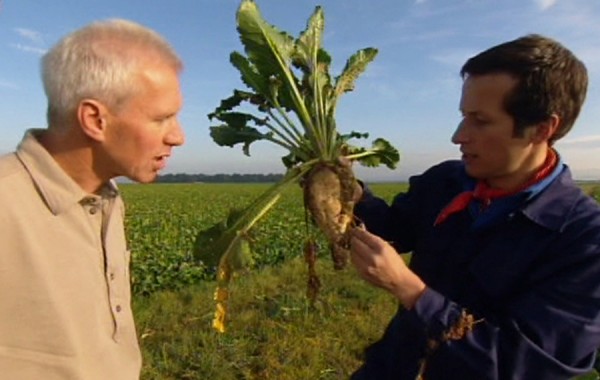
x,y
273,332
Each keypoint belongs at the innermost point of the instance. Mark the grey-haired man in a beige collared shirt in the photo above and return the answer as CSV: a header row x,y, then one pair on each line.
x,y
113,99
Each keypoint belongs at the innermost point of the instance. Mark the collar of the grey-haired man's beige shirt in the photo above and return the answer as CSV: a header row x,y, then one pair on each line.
x,y
57,188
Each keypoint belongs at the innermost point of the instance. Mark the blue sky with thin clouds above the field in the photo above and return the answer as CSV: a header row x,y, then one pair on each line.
x,y
408,95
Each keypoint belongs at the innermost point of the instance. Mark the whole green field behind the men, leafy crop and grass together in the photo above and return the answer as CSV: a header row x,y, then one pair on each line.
x,y
273,332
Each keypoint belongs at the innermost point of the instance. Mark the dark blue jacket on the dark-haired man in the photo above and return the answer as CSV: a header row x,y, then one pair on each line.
x,y
531,278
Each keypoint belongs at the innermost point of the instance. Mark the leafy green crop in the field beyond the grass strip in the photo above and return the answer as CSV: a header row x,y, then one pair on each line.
x,y
163,220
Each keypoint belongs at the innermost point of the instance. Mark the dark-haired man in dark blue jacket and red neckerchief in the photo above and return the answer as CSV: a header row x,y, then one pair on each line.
x,y
504,279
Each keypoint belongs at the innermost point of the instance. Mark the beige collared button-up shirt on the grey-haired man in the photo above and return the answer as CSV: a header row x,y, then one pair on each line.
x,y
65,310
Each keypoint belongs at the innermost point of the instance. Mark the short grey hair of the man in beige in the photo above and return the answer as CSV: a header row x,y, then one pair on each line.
x,y
98,61
